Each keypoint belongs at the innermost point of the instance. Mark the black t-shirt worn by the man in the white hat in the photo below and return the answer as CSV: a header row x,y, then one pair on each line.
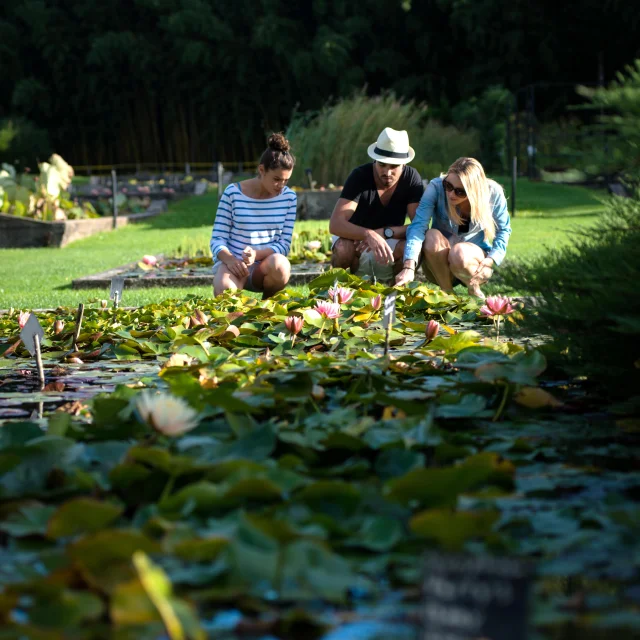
x,y
361,187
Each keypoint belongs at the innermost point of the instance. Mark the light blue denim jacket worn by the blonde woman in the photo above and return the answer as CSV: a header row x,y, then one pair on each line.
x,y
433,205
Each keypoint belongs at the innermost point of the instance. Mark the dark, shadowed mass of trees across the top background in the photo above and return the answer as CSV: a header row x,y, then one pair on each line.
x,y
160,80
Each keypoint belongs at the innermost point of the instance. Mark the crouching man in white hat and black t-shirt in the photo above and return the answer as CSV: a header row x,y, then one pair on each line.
x,y
368,222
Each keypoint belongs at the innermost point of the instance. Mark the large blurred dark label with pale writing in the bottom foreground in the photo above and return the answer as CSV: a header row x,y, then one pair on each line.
x,y
469,596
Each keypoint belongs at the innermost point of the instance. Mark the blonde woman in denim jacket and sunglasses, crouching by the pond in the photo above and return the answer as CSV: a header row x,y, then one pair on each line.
x,y
469,231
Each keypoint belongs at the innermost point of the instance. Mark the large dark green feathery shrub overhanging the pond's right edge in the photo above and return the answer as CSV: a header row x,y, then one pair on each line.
x,y
589,302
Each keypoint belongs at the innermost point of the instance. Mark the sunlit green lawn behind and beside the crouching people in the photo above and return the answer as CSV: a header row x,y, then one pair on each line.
x,y
41,278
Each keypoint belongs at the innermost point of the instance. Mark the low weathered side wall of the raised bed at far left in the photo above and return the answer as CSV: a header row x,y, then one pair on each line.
x,y
21,232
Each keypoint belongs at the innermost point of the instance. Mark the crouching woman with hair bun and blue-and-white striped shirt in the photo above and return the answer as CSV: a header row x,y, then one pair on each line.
x,y
252,232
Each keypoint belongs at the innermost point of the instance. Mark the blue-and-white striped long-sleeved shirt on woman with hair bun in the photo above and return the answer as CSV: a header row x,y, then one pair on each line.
x,y
261,224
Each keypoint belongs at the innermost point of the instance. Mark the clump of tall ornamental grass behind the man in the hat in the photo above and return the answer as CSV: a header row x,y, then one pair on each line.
x,y
334,141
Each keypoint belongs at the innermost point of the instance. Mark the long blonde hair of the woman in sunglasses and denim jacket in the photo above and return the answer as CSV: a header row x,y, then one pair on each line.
x,y
477,186
